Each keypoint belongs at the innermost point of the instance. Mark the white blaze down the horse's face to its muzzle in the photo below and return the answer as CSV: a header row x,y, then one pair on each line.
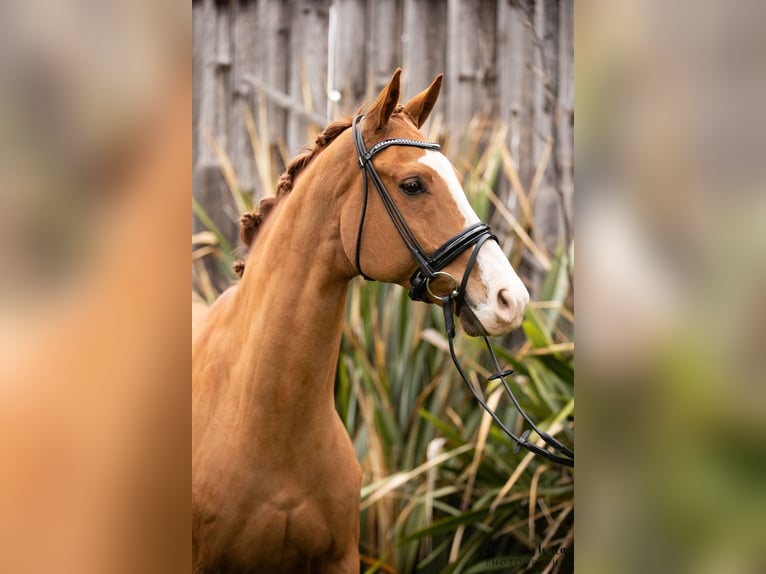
x,y
495,270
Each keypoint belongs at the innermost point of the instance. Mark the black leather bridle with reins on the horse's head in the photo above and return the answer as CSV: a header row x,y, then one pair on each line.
x,y
430,268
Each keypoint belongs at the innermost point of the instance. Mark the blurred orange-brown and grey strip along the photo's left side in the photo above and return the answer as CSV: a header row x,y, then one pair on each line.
x,y
95,176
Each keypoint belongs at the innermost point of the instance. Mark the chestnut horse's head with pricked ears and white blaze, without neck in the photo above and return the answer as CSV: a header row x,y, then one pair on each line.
x,y
425,193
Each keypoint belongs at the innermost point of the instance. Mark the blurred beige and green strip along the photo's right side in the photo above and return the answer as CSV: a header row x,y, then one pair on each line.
x,y
672,272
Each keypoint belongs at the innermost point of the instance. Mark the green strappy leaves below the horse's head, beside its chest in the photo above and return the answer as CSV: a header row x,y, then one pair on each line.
x,y
404,405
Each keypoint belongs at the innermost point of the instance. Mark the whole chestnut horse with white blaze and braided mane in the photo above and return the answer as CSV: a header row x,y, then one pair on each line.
x,y
275,479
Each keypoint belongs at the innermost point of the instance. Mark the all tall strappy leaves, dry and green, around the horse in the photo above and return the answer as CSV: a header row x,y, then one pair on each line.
x,y
443,491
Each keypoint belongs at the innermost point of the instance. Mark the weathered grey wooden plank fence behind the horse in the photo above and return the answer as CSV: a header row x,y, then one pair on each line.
x,y
296,64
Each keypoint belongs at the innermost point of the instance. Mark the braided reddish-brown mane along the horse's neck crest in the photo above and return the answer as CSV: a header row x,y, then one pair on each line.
x,y
251,222
